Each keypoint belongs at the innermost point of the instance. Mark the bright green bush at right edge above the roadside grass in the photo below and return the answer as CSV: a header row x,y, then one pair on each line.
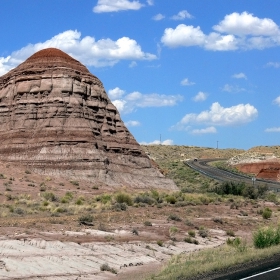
x,y
266,237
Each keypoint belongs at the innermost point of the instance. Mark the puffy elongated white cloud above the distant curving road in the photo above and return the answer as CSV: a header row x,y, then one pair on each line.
x,y
218,115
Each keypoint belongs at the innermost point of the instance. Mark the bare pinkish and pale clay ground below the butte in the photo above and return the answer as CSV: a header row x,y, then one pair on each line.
x,y
39,246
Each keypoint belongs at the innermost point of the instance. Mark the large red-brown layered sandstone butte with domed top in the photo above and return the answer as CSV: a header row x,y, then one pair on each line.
x,y
56,118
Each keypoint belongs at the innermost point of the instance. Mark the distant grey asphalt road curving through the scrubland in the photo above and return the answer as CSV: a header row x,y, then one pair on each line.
x,y
201,165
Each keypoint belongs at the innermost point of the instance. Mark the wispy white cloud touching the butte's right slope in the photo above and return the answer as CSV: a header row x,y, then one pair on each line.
x,y
127,103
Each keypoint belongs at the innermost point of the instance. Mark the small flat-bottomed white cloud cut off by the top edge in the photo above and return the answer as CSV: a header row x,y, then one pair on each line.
x,y
105,6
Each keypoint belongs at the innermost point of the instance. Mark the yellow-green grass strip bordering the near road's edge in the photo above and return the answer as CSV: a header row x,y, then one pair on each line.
x,y
200,263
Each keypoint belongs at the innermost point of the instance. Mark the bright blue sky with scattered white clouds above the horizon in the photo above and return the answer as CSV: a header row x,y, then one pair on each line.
x,y
186,72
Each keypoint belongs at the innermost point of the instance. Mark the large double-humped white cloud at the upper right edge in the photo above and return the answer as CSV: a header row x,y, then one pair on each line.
x,y
236,31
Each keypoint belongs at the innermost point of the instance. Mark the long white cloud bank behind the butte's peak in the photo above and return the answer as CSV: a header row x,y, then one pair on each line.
x,y
104,52
